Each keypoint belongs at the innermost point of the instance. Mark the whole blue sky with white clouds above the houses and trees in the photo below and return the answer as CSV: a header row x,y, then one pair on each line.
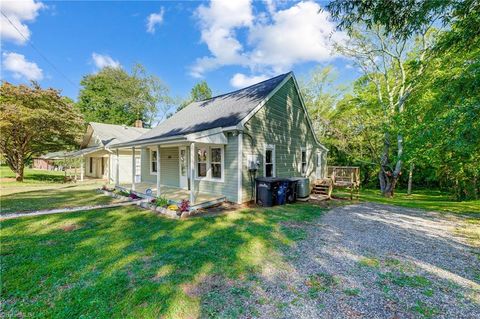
x,y
230,44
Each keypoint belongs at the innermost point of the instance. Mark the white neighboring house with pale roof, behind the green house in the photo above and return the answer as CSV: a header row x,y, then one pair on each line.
x,y
97,160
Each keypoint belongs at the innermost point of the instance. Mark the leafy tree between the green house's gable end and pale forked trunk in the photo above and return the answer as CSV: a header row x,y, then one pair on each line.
x,y
347,122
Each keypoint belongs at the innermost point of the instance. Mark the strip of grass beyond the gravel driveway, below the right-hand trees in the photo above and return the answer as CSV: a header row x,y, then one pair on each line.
x,y
423,199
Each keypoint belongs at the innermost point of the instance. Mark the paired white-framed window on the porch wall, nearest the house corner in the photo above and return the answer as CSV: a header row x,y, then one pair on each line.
x,y
210,163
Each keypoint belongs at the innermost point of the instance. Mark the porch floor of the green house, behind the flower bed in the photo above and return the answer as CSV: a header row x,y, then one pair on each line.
x,y
175,193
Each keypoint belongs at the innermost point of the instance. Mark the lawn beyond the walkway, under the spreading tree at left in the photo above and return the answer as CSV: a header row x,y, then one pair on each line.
x,y
45,190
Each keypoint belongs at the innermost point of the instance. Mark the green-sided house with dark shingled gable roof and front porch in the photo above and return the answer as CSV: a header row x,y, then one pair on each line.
x,y
205,152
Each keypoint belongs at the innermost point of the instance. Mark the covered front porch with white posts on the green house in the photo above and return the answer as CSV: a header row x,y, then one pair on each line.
x,y
179,169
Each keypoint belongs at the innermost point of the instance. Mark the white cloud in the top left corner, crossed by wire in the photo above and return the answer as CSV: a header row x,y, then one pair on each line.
x,y
19,13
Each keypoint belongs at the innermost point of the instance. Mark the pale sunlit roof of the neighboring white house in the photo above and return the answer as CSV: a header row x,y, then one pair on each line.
x,y
109,134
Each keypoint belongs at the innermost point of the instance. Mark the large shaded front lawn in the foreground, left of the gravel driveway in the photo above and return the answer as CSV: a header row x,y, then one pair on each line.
x,y
130,263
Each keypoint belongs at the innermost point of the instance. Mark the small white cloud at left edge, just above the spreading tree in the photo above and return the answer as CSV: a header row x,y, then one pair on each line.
x,y
20,67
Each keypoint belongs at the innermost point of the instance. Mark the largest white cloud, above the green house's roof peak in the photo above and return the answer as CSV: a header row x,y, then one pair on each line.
x,y
276,40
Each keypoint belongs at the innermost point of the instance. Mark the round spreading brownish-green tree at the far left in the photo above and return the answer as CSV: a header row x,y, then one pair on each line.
x,y
34,121
